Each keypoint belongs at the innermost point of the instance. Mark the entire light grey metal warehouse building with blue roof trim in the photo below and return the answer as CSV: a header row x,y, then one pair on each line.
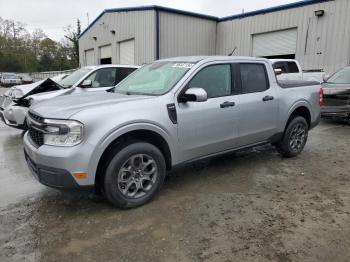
x,y
315,32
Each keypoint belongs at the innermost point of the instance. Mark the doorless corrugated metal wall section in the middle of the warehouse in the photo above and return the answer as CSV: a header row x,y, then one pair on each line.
x,y
184,35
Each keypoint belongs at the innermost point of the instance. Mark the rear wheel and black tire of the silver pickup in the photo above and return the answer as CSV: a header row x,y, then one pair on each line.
x,y
288,147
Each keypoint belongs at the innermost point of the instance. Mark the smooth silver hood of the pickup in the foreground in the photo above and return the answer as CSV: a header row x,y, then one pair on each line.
x,y
63,107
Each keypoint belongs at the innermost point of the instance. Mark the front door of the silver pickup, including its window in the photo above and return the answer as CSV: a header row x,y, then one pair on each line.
x,y
209,127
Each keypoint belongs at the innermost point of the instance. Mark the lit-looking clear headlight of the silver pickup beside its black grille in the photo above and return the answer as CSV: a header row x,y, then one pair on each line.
x,y
62,132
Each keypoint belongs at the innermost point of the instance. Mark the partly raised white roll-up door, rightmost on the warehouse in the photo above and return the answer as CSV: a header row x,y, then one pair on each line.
x,y
275,43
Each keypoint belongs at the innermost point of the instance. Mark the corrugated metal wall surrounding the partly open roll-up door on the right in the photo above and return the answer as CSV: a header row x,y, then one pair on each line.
x,y
327,44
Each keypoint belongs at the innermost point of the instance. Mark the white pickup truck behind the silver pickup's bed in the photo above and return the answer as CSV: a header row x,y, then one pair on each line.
x,y
290,69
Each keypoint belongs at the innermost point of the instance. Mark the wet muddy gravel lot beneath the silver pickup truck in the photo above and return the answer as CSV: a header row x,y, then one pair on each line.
x,y
248,206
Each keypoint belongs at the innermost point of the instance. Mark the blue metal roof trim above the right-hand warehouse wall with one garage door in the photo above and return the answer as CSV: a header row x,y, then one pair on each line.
x,y
273,9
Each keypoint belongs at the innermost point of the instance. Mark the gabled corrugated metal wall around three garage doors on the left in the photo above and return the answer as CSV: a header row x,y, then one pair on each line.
x,y
139,25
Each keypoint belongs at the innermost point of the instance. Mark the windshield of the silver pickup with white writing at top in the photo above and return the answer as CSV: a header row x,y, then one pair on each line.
x,y
153,79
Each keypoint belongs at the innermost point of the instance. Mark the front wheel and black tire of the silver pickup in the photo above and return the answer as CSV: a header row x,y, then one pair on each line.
x,y
117,182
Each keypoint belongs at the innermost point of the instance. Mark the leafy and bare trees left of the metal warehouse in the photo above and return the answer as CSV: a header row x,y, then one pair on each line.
x,y
22,51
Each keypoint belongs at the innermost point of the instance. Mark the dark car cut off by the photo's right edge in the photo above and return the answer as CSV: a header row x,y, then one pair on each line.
x,y
337,95
